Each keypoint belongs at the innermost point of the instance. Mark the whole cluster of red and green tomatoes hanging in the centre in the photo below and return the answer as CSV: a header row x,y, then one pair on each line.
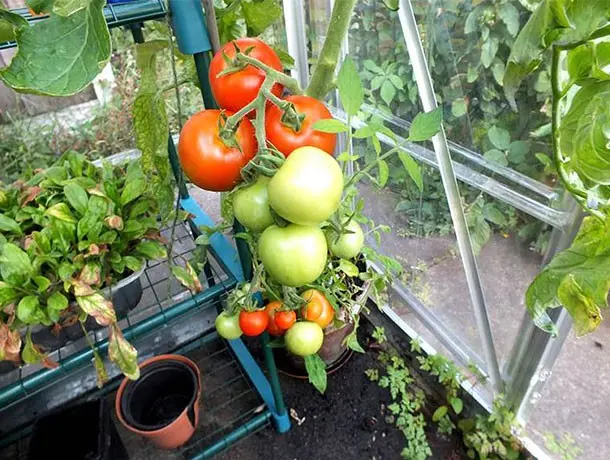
x,y
304,192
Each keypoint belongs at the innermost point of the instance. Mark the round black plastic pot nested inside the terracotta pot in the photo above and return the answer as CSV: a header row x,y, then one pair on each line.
x,y
160,395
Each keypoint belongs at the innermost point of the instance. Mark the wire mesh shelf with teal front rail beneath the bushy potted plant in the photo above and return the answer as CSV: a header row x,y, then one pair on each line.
x,y
166,317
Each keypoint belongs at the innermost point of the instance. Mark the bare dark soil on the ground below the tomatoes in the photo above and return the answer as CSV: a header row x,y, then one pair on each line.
x,y
348,422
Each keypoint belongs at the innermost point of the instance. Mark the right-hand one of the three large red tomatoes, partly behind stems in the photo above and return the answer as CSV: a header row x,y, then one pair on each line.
x,y
286,139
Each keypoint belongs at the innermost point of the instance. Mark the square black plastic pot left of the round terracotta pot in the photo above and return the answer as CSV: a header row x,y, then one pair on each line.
x,y
80,432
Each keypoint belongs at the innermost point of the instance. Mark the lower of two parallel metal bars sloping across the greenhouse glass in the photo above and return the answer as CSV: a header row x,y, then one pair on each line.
x,y
542,212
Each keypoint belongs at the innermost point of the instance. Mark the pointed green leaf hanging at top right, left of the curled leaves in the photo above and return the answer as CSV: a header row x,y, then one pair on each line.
x,y
525,52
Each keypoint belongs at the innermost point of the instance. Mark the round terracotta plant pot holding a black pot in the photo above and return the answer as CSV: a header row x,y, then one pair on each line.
x,y
163,404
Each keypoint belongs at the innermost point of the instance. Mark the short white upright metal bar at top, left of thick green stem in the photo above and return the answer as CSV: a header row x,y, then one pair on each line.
x,y
294,19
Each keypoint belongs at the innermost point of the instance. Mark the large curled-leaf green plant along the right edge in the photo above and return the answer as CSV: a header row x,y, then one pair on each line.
x,y
576,34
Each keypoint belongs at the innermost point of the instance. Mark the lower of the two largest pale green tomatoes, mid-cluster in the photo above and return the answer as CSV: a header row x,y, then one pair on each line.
x,y
293,255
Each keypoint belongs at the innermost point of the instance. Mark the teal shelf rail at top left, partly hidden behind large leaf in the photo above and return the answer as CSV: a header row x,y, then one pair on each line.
x,y
117,15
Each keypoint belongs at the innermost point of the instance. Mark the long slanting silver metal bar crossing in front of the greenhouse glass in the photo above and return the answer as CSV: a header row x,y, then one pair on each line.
x,y
426,91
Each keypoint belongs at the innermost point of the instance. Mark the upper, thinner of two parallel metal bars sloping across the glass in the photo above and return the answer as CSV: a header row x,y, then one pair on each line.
x,y
507,173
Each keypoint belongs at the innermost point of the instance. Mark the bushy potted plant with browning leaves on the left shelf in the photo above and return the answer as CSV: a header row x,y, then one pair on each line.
x,y
68,232
